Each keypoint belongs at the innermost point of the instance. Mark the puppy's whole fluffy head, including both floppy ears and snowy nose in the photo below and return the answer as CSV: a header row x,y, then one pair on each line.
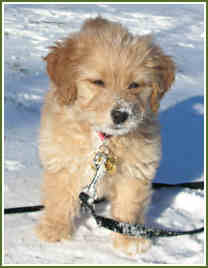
x,y
115,79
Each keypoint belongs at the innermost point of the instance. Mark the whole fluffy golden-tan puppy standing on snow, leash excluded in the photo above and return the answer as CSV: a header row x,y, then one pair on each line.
x,y
105,82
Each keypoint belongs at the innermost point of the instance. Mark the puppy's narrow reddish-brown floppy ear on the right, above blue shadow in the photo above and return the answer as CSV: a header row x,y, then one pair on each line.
x,y
164,68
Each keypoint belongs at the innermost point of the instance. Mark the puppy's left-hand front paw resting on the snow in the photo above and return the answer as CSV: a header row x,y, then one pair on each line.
x,y
53,232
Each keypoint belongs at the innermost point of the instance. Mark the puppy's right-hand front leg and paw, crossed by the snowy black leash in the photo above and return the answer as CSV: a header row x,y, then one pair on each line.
x,y
129,200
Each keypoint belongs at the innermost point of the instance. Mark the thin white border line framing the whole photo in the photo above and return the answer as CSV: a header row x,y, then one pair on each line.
x,y
205,101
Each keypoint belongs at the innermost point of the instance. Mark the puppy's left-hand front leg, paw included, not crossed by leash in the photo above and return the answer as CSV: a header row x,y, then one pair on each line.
x,y
60,206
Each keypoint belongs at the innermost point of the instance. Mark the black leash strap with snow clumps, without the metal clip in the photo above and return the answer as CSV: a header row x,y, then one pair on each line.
x,y
136,230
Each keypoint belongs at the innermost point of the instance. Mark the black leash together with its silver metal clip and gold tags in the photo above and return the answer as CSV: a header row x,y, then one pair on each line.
x,y
105,162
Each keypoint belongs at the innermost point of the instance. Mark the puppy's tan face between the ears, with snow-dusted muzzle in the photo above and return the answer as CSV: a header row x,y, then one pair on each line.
x,y
113,95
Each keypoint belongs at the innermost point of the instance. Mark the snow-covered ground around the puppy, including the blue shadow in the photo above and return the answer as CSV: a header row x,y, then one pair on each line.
x,y
28,31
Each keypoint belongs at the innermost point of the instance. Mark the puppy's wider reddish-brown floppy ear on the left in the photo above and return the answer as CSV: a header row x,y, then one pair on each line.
x,y
61,63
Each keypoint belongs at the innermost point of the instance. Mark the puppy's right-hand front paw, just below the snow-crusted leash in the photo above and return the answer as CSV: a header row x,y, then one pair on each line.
x,y
130,245
